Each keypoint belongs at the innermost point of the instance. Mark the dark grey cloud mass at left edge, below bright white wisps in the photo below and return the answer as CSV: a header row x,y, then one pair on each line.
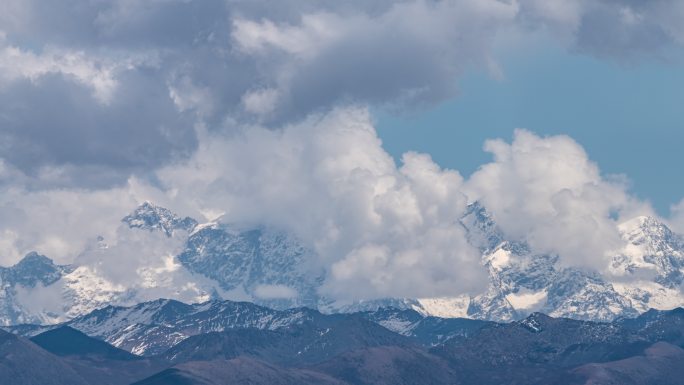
x,y
56,121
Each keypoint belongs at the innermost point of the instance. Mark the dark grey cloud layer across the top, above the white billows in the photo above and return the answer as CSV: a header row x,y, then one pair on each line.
x,y
122,83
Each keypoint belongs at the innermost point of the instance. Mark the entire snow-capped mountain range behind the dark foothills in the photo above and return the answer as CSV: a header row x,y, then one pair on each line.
x,y
161,255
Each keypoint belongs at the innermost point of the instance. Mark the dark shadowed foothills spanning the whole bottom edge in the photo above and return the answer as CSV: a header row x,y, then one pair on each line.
x,y
356,349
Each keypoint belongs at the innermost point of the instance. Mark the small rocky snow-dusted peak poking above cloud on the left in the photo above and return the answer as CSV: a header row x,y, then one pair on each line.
x,y
152,217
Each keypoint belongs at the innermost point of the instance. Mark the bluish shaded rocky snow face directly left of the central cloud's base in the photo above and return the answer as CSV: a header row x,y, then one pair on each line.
x,y
262,265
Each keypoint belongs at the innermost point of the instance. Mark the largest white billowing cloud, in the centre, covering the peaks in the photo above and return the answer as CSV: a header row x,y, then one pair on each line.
x,y
380,229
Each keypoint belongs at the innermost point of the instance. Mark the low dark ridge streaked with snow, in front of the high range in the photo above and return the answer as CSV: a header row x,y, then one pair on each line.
x,y
150,328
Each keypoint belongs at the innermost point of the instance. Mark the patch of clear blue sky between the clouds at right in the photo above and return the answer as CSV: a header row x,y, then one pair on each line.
x,y
628,116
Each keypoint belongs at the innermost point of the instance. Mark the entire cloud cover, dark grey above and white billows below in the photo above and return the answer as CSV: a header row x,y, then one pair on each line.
x,y
238,107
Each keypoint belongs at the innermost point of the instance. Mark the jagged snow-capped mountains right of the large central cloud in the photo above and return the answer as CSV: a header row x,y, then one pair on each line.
x,y
522,282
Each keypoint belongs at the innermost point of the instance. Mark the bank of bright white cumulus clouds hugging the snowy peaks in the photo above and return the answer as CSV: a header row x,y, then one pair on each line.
x,y
380,229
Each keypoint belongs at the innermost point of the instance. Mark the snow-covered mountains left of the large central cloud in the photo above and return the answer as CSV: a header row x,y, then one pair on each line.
x,y
161,255
